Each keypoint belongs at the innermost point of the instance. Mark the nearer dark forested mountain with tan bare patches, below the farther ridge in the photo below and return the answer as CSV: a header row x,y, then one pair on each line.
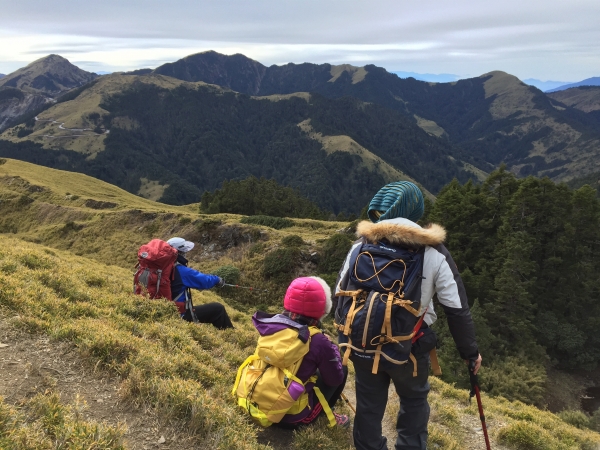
x,y
184,138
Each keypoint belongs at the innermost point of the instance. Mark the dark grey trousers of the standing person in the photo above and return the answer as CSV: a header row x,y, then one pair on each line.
x,y
371,400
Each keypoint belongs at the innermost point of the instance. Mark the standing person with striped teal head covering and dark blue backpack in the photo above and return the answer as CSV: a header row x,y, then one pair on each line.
x,y
384,313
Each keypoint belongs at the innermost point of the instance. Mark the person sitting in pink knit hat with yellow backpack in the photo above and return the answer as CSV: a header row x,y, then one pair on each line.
x,y
295,375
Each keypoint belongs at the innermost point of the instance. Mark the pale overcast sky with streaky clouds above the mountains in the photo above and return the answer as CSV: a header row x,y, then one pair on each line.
x,y
544,39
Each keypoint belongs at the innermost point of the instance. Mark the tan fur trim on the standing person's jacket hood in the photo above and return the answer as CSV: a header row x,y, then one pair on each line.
x,y
401,232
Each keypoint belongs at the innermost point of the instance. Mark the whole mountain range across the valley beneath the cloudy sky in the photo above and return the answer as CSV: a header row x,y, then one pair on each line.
x,y
332,131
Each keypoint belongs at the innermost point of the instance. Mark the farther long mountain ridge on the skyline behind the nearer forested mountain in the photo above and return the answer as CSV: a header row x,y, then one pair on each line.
x,y
494,117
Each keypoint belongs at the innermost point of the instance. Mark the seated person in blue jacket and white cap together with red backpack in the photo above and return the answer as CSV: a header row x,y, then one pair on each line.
x,y
163,273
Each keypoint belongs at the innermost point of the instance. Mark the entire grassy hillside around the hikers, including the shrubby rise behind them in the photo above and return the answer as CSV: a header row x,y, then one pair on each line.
x,y
183,370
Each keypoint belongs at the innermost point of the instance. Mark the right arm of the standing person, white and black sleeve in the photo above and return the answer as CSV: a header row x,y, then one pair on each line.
x,y
452,296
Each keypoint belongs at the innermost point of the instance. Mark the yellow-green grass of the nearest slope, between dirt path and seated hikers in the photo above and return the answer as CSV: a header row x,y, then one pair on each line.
x,y
186,370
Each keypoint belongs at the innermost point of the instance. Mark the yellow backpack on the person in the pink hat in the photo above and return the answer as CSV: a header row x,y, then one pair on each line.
x,y
266,385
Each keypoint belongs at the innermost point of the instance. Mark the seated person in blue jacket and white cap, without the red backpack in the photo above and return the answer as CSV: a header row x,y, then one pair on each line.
x,y
186,278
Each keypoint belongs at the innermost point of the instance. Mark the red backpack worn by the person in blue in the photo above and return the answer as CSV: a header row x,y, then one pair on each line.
x,y
156,261
